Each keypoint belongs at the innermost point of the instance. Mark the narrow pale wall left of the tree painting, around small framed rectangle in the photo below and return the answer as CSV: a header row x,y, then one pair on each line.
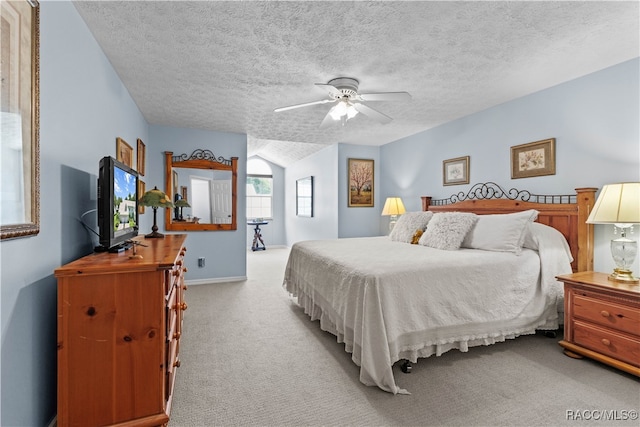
x,y
323,166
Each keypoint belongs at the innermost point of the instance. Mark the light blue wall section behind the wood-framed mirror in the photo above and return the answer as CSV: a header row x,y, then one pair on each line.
x,y
224,251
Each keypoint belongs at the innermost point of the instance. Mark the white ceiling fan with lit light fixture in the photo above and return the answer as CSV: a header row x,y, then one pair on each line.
x,y
343,92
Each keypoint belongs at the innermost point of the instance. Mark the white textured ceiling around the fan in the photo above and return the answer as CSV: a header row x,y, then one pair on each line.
x,y
227,65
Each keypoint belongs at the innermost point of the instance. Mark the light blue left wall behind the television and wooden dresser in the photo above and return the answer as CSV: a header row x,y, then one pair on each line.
x,y
83,108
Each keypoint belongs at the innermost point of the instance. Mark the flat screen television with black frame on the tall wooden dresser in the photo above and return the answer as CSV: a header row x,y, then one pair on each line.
x,y
117,204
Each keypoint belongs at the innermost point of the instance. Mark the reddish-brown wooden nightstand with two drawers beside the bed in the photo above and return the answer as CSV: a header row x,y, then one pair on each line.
x,y
602,320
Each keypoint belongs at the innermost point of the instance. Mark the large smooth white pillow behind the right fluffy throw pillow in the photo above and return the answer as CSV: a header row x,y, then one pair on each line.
x,y
500,232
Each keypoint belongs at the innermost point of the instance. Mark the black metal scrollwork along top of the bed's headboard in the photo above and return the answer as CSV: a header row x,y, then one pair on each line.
x,y
491,190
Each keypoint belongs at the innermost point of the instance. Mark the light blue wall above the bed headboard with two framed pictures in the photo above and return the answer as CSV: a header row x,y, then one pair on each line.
x,y
595,120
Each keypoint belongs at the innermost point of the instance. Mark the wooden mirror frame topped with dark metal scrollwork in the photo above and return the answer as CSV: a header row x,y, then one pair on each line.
x,y
200,159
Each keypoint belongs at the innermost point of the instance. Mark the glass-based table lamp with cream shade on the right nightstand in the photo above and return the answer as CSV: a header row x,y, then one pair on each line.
x,y
619,204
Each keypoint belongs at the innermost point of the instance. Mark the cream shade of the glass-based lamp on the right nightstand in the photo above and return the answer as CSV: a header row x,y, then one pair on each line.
x,y
617,204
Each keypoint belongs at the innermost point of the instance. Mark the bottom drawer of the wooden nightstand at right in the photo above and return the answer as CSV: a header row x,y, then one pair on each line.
x,y
603,341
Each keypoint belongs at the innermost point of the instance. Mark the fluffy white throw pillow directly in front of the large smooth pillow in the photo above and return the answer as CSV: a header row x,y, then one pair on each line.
x,y
447,230
